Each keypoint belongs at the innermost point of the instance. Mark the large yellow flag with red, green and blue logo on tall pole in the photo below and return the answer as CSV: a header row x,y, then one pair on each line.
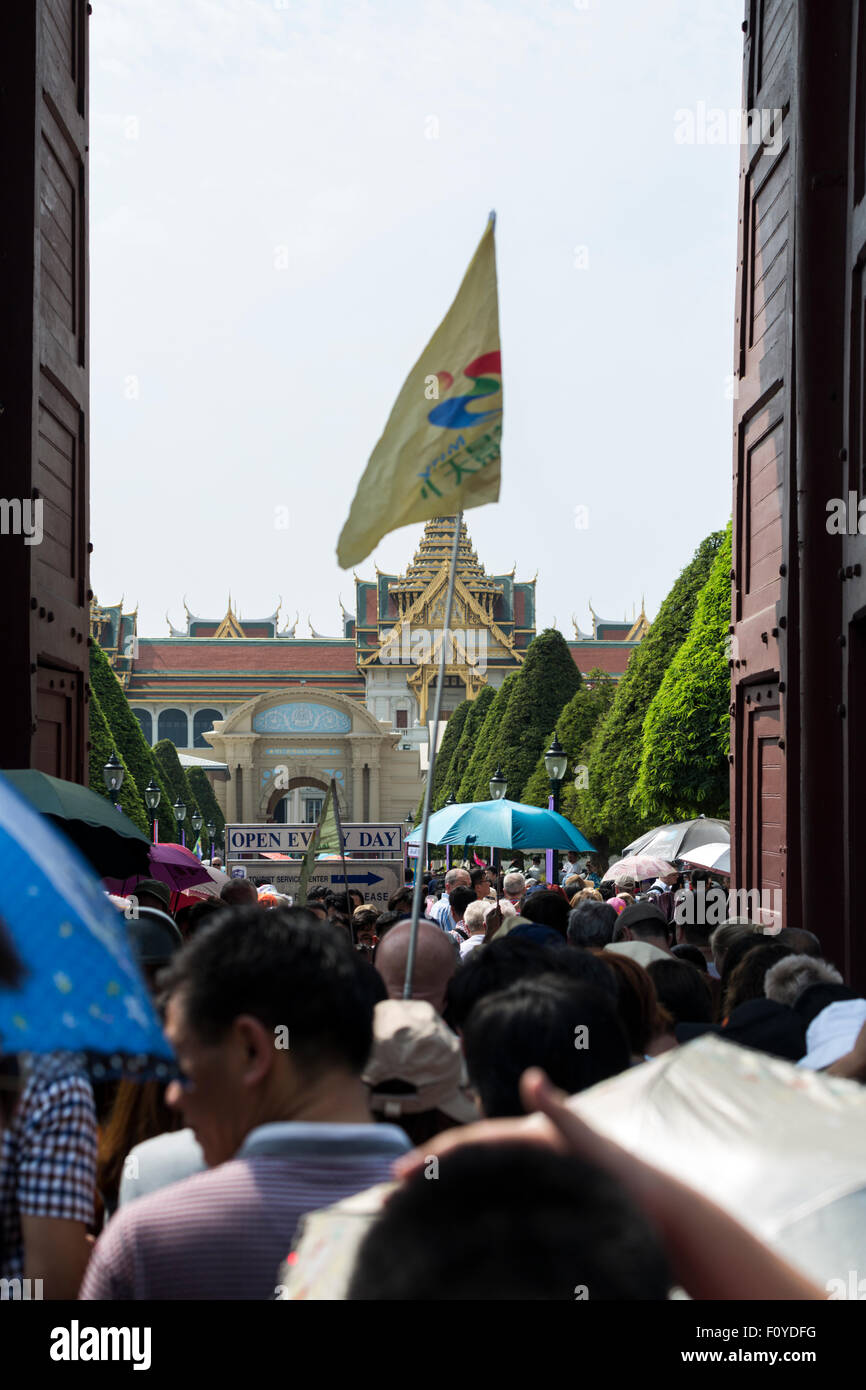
x,y
440,451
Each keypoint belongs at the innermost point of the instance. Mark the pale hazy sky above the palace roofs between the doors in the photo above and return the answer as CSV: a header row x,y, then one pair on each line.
x,y
284,198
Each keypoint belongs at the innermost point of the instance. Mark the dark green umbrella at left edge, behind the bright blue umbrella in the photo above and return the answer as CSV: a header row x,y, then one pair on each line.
x,y
105,836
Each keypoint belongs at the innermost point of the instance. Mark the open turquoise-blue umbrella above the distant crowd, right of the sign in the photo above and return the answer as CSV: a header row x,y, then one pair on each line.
x,y
504,825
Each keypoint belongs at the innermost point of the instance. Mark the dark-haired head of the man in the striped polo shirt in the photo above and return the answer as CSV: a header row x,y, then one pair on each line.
x,y
269,1020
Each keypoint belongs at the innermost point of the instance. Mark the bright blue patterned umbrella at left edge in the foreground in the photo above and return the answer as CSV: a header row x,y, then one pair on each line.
x,y
81,990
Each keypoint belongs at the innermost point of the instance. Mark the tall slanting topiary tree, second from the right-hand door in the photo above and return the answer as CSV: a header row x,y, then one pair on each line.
x,y
604,811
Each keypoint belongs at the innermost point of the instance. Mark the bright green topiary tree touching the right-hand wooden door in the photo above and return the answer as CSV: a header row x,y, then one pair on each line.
x,y
685,764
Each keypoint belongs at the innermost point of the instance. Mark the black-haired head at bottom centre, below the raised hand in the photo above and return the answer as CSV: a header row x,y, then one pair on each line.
x,y
511,1223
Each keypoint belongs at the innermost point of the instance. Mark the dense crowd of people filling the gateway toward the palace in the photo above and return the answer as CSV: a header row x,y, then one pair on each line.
x,y
304,1077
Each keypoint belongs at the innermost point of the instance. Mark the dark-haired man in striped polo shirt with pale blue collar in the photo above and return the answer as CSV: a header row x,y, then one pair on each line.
x,y
272,1021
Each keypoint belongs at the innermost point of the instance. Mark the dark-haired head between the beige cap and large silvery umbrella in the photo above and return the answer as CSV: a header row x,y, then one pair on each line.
x,y
569,1029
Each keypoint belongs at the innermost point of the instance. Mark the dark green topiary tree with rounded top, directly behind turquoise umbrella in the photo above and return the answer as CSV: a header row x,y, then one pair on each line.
x,y
546,683
